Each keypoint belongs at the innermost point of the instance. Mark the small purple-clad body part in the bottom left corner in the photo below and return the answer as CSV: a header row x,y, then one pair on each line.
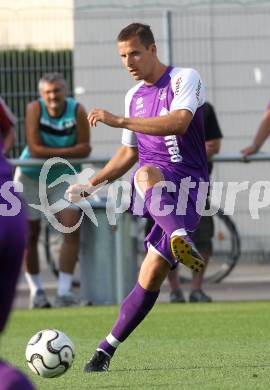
x,y
12,379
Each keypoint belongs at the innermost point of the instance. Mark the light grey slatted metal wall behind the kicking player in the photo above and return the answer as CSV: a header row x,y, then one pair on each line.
x,y
225,41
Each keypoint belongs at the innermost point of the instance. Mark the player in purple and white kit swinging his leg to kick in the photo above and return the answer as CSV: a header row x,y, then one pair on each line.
x,y
163,129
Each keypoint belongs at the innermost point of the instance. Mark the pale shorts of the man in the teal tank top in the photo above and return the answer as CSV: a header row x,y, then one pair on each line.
x,y
31,195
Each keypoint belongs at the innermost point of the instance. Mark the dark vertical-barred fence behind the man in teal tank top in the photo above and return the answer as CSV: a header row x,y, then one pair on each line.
x,y
19,76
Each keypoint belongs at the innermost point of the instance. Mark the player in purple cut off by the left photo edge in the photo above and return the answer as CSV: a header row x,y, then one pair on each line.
x,y
12,242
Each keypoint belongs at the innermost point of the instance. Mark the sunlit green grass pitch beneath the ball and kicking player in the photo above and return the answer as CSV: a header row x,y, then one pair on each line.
x,y
189,346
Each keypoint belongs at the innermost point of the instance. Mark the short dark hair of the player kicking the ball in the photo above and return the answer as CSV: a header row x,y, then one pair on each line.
x,y
143,31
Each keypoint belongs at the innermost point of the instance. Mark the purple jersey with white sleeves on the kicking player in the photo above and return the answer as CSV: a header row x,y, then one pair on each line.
x,y
184,155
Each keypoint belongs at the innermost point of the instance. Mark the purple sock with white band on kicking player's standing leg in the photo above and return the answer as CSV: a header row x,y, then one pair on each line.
x,y
133,310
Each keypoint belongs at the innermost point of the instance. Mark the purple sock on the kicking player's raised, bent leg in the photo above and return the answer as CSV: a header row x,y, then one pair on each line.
x,y
169,223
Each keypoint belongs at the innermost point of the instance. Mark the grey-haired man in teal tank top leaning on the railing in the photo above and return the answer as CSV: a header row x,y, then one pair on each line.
x,y
56,126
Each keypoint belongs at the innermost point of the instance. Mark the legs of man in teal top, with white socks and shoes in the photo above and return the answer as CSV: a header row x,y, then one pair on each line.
x,y
69,251
